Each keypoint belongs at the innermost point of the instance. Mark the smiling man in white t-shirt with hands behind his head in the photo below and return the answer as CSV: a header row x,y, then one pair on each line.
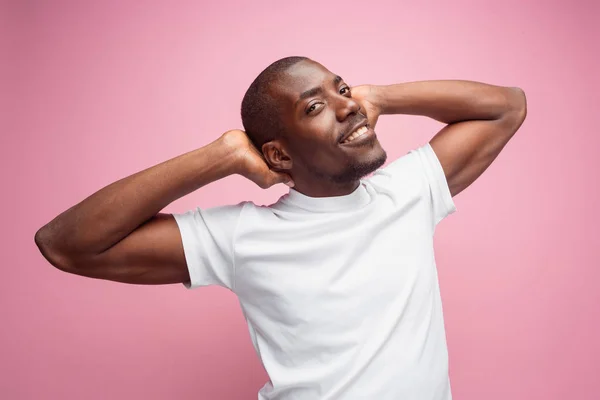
x,y
337,279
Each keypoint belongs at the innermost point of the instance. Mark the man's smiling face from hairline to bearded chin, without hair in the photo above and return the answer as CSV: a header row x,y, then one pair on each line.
x,y
318,112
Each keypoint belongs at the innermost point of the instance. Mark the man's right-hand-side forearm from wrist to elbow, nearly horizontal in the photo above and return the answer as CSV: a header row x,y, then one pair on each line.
x,y
448,101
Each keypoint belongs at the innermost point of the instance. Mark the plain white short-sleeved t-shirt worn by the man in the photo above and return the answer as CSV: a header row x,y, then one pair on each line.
x,y
340,294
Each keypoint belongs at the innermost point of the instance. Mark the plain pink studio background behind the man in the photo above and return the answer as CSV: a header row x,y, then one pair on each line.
x,y
100,90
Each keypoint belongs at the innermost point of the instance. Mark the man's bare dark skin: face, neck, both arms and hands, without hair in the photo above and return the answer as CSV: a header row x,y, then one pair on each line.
x,y
120,234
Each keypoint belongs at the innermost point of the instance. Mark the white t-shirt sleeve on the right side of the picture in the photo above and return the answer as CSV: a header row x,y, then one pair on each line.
x,y
440,196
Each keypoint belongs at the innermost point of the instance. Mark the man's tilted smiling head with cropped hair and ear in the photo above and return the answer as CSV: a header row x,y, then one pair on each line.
x,y
298,113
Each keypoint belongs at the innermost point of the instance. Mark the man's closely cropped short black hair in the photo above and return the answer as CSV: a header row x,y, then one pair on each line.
x,y
260,112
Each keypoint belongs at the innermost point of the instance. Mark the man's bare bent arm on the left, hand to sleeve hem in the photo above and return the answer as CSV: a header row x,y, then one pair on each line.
x,y
118,233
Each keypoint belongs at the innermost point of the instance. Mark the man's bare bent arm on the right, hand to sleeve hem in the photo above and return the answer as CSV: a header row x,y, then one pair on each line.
x,y
480,120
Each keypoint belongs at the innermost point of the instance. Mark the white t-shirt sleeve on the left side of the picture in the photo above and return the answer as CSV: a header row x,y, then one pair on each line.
x,y
208,241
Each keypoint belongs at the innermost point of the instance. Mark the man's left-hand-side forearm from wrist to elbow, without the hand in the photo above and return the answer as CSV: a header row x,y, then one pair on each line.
x,y
109,215
